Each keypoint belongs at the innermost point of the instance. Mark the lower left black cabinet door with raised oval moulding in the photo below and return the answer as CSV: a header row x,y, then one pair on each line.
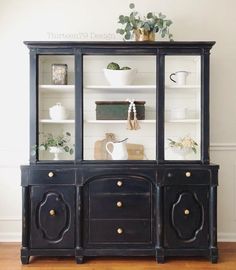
x,y
52,213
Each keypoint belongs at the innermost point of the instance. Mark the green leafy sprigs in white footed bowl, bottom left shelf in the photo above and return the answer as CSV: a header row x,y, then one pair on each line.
x,y
49,140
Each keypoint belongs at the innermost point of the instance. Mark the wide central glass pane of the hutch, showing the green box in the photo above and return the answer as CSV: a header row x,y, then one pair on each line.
x,y
106,116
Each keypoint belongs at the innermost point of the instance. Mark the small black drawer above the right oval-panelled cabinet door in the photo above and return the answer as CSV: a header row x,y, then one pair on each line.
x,y
186,176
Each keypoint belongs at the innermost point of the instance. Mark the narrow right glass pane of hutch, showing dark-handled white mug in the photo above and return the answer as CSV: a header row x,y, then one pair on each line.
x,y
182,107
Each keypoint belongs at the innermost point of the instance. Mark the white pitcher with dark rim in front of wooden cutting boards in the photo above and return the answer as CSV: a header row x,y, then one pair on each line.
x,y
119,151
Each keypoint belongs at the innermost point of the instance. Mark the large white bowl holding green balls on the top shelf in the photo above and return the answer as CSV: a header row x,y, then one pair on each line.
x,y
119,77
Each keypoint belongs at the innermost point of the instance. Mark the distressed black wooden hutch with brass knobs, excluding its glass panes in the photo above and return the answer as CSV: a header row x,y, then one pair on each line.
x,y
120,208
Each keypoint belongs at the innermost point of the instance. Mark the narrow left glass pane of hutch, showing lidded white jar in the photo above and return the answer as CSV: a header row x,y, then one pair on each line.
x,y
56,92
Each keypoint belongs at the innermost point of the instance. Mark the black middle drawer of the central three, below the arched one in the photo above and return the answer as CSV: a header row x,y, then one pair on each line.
x,y
120,206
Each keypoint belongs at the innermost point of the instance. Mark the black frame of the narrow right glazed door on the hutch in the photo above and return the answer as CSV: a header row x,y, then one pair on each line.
x,y
204,53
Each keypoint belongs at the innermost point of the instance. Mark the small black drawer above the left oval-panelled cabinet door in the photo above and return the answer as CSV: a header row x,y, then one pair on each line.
x,y
52,176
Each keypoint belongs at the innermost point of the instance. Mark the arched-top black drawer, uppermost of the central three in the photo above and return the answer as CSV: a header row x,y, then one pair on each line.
x,y
120,185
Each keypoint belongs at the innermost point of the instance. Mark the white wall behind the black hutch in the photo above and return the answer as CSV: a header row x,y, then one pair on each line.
x,y
97,20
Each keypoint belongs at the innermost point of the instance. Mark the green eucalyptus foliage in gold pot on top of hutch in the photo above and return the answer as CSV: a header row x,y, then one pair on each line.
x,y
150,23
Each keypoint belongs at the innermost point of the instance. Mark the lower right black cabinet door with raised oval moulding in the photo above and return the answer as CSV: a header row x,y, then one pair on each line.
x,y
186,212
